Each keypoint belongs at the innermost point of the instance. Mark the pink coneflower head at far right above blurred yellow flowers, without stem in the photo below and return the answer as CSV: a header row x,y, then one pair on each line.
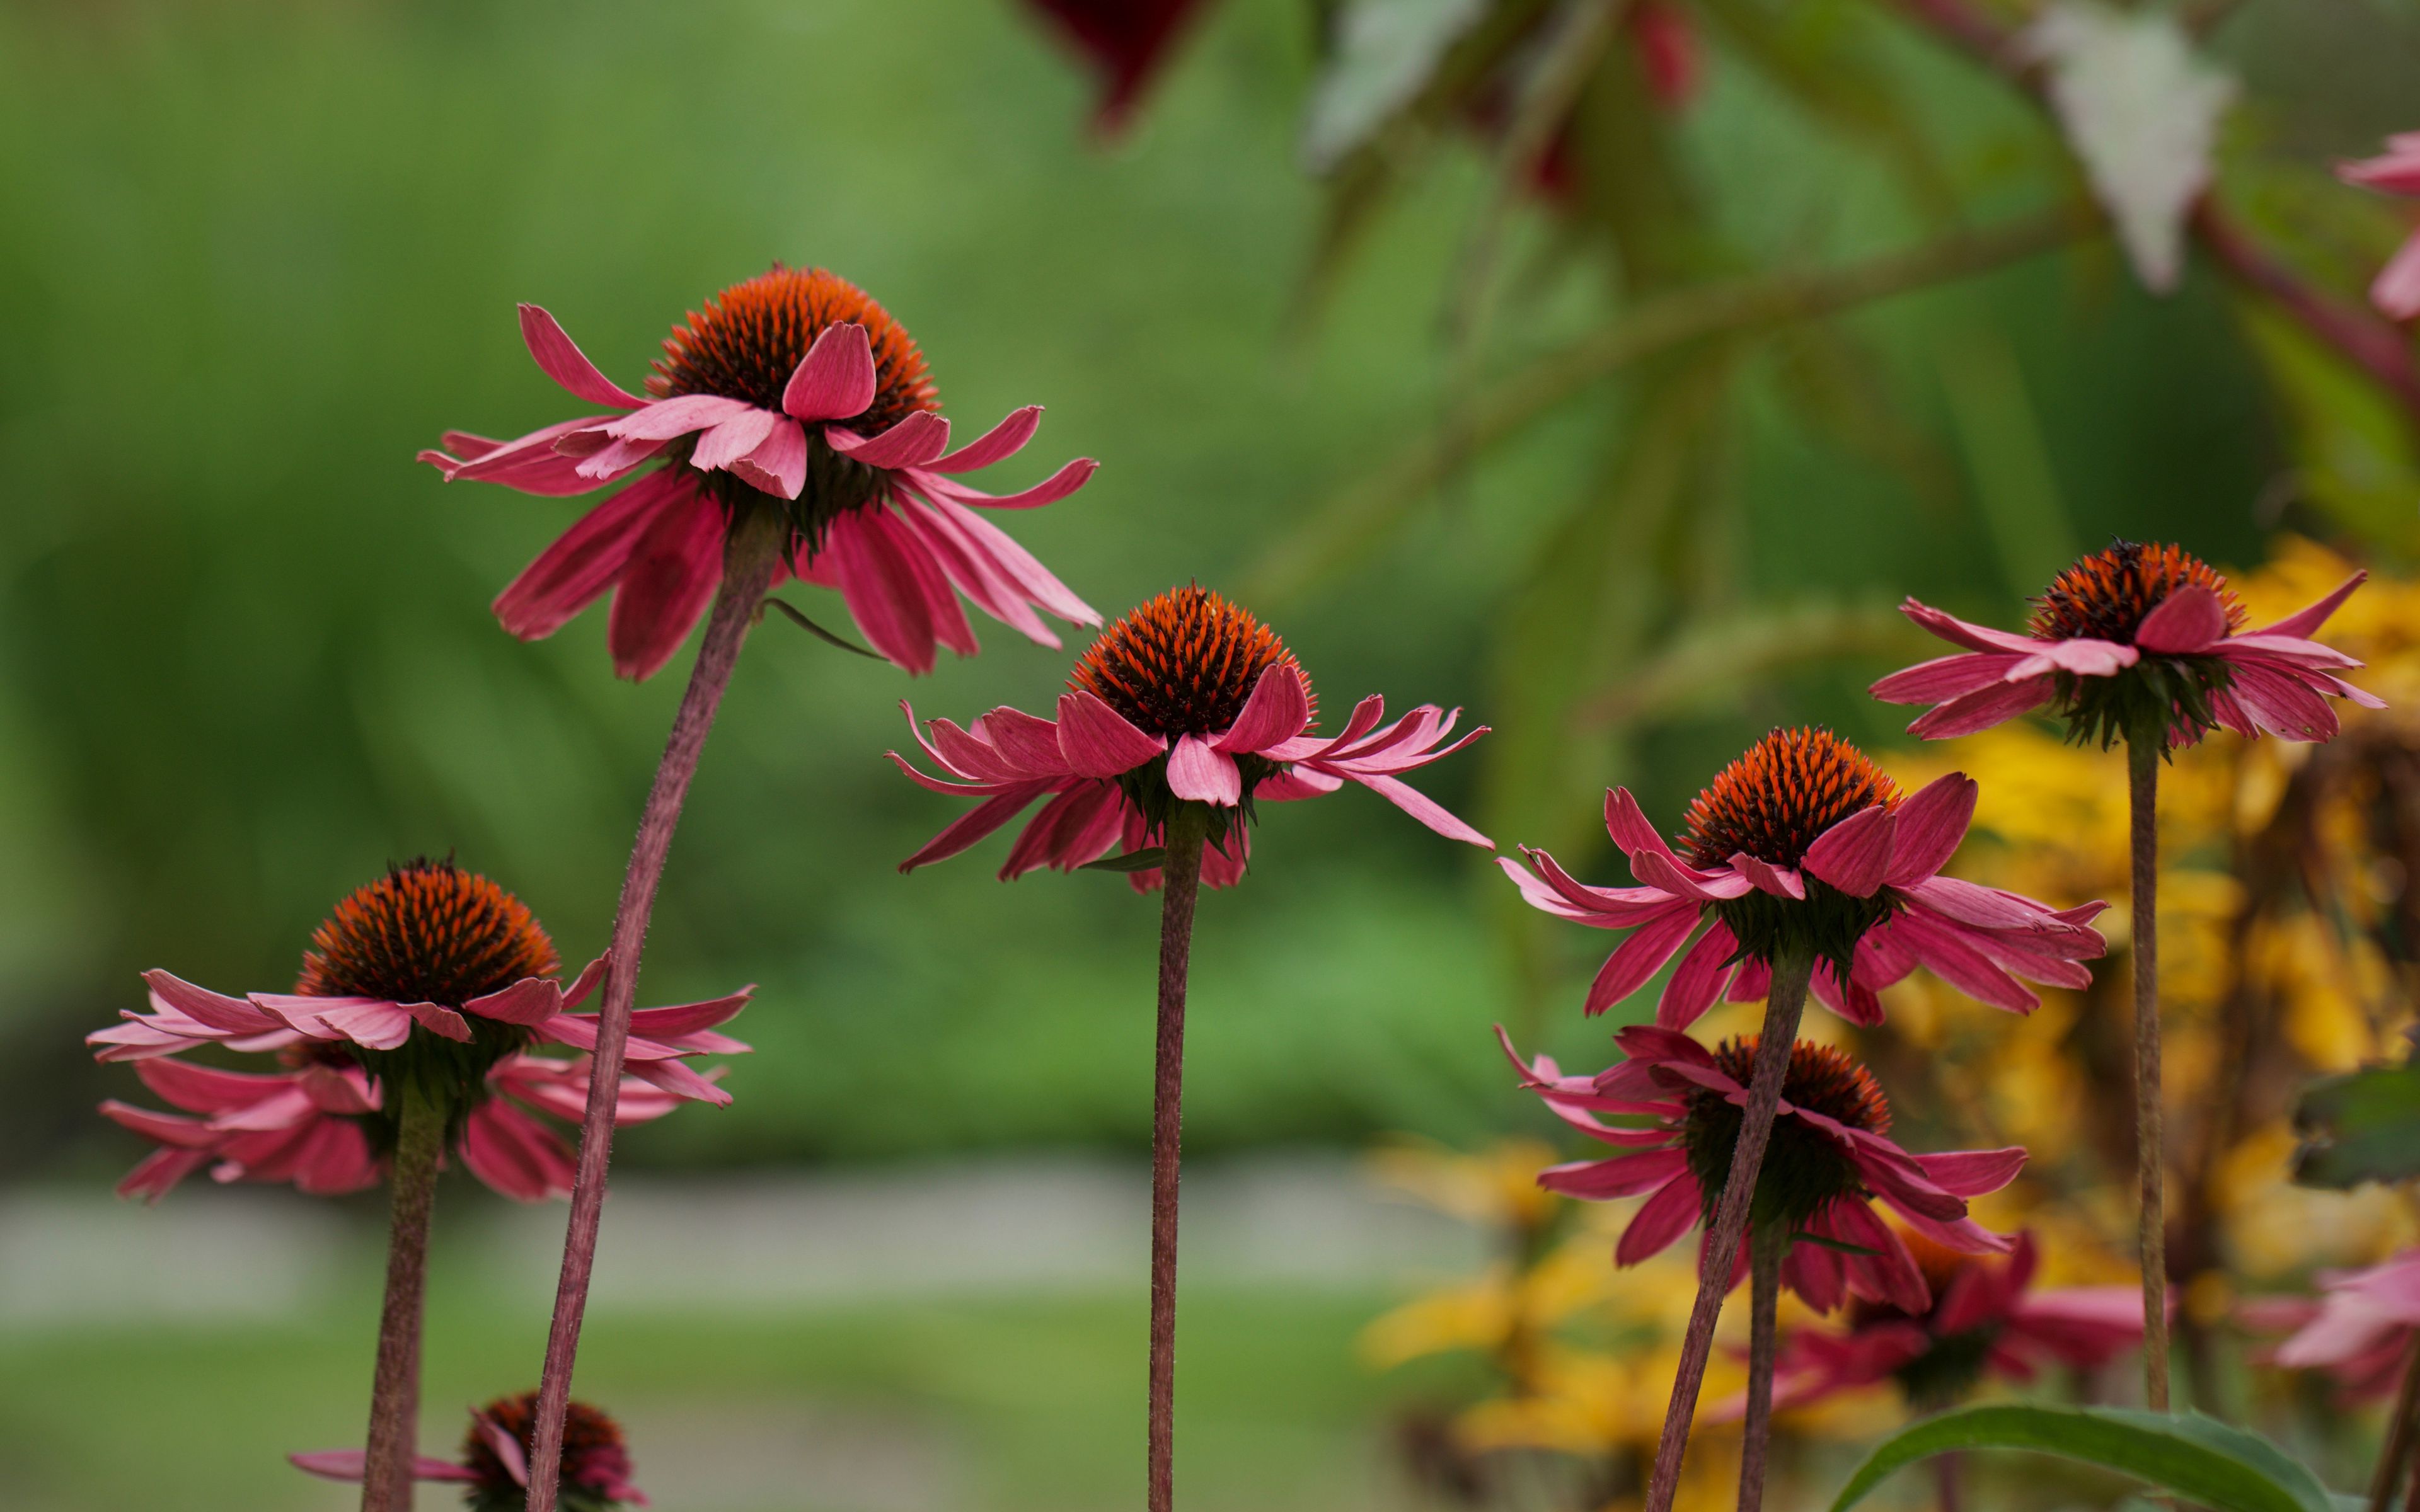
x,y
2136,642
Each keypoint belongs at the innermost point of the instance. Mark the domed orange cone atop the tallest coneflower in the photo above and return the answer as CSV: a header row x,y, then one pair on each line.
x,y
754,335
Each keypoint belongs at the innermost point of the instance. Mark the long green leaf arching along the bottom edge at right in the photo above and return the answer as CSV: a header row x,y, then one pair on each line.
x,y
2189,1455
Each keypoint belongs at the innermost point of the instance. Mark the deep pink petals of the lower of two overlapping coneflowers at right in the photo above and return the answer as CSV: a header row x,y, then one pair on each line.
x,y
1843,1250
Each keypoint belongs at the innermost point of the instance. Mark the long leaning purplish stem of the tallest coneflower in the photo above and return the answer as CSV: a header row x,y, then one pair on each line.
x,y
751,555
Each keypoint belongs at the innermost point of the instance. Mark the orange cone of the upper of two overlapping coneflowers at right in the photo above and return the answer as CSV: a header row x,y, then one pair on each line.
x,y
1780,797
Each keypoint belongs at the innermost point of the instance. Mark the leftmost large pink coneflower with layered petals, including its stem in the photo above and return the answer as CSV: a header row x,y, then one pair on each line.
x,y
408,1034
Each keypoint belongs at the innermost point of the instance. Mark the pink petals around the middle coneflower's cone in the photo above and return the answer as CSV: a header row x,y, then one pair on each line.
x,y
1013,761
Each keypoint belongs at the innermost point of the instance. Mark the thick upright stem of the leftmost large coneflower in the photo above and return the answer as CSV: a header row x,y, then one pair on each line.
x,y
396,1390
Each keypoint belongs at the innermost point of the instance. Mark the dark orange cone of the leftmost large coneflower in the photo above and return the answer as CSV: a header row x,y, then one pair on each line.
x,y
427,933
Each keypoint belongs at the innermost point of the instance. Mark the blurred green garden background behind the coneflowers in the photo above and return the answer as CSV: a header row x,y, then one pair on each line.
x,y
260,253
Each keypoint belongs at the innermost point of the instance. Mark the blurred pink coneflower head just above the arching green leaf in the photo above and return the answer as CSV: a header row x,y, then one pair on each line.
x,y
1986,1317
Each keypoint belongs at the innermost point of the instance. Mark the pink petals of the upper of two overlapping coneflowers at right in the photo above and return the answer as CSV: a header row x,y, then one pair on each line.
x,y
1981,940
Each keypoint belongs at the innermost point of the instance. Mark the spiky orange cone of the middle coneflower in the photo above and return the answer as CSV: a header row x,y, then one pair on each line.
x,y
1182,664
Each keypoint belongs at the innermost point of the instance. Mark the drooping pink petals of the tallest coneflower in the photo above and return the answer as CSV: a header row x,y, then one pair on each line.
x,y
901,560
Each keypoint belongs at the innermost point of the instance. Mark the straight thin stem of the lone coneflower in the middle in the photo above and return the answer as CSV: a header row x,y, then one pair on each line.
x,y
1180,882
